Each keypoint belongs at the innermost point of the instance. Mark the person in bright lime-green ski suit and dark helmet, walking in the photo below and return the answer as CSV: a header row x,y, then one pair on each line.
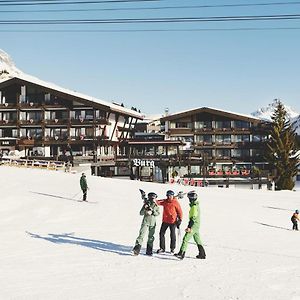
x,y
192,229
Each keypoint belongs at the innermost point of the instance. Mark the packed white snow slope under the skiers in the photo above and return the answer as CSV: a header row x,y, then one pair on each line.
x,y
54,247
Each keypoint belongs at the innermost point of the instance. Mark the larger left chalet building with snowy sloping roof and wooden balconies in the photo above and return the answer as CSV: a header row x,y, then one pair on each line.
x,y
41,119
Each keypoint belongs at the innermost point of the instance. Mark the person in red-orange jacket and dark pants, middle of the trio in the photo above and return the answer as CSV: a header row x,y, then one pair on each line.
x,y
172,216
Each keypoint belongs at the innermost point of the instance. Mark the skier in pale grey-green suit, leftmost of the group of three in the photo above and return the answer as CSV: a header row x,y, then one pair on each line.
x,y
149,210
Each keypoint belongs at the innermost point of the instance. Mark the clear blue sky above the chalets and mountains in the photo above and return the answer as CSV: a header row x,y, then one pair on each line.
x,y
237,70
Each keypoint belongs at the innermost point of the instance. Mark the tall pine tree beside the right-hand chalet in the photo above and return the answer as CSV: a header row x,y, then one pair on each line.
x,y
282,149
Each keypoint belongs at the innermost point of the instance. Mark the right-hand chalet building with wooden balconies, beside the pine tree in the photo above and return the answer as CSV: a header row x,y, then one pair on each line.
x,y
217,142
